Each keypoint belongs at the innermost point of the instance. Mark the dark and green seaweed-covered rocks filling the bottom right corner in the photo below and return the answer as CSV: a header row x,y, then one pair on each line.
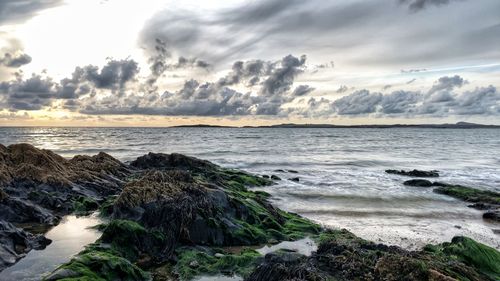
x,y
343,256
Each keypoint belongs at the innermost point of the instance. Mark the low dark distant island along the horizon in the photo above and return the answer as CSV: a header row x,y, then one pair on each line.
x,y
458,125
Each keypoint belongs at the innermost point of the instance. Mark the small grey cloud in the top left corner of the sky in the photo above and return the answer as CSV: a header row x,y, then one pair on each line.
x,y
16,11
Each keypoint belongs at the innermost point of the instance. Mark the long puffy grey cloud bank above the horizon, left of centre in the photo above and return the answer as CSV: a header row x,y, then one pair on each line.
x,y
275,81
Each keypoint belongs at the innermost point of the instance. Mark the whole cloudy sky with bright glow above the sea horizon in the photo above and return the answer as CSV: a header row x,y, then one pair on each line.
x,y
164,63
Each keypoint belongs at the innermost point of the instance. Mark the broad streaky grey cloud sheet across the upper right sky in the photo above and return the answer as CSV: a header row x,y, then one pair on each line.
x,y
335,29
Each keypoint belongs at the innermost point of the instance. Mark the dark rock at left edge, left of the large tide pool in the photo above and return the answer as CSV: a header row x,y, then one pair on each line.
x,y
15,243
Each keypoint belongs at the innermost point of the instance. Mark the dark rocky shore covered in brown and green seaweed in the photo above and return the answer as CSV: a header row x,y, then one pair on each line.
x,y
174,217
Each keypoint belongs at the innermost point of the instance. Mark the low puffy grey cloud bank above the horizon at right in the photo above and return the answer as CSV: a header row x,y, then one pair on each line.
x,y
482,101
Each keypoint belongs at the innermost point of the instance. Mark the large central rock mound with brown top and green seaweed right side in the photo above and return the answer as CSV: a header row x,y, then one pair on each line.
x,y
191,210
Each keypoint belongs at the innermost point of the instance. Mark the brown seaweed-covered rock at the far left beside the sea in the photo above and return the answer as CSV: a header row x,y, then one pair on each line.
x,y
23,164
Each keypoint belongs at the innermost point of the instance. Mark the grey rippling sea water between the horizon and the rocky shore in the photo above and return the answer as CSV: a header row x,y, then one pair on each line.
x,y
342,179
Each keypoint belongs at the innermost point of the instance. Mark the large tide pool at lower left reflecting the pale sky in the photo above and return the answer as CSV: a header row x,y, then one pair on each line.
x,y
68,238
